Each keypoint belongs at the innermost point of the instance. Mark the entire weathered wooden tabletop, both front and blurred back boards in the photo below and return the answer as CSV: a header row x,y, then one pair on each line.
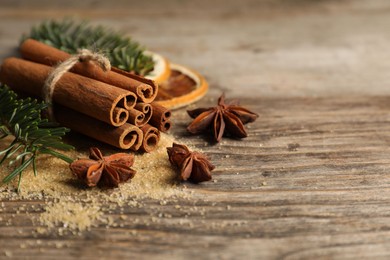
x,y
312,178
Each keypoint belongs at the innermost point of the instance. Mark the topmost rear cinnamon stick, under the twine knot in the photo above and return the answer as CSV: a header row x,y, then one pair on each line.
x,y
145,89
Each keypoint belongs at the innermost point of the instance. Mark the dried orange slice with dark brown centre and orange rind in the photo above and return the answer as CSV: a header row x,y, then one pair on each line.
x,y
184,86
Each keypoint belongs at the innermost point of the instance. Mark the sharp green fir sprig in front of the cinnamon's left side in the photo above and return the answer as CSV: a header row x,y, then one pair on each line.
x,y
32,135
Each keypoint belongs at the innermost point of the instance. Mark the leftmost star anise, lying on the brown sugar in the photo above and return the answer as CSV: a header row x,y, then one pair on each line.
x,y
104,170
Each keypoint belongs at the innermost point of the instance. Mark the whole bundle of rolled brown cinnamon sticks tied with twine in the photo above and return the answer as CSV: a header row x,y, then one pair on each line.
x,y
114,107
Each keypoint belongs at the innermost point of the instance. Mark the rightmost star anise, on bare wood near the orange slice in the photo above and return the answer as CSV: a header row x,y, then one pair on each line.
x,y
225,118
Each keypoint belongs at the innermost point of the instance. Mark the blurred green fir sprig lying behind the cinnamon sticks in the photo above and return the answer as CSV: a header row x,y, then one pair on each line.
x,y
69,36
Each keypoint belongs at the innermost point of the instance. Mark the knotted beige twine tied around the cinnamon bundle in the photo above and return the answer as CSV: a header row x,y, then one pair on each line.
x,y
83,55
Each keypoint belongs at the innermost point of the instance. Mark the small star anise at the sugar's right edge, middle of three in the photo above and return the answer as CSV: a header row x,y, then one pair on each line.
x,y
193,166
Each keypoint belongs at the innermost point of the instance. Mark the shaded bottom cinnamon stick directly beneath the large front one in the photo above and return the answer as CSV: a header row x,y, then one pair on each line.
x,y
126,136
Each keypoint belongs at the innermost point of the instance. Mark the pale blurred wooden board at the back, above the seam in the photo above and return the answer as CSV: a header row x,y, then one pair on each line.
x,y
273,47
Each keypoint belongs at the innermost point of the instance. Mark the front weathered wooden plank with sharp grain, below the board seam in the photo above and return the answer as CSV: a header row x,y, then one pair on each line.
x,y
326,198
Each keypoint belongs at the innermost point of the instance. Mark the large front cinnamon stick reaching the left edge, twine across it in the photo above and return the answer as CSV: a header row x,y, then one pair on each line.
x,y
91,97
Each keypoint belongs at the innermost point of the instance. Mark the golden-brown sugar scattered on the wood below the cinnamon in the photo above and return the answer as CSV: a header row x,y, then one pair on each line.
x,y
71,207
